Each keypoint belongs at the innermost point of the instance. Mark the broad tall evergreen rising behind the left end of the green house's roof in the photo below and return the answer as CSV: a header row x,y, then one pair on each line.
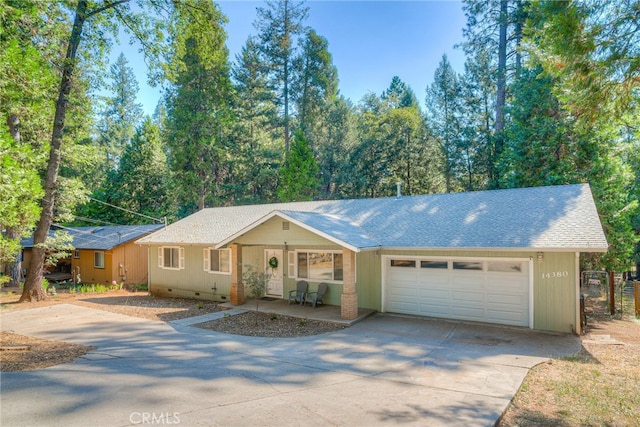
x,y
198,106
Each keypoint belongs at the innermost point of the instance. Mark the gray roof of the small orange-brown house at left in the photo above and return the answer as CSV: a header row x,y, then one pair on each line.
x,y
104,237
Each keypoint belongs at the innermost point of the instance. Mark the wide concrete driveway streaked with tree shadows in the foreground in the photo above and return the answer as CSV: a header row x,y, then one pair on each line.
x,y
385,370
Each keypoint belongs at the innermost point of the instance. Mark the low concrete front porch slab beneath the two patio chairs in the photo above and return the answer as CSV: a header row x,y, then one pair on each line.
x,y
328,313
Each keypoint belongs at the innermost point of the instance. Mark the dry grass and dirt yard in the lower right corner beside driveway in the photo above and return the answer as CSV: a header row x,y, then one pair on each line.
x,y
600,386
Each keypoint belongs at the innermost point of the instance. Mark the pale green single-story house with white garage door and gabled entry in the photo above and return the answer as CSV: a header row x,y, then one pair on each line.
x,y
502,256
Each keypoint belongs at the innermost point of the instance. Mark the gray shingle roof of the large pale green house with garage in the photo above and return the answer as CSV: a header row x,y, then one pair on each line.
x,y
556,217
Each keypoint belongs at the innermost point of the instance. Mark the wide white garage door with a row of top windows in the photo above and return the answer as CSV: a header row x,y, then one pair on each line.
x,y
485,290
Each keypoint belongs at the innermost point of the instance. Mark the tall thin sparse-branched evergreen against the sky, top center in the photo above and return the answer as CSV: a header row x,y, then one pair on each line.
x,y
279,25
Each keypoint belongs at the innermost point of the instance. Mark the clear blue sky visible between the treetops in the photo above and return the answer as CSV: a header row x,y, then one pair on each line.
x,y
371,41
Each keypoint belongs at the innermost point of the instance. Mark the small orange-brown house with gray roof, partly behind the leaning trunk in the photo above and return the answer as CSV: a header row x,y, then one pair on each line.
x,y
101,255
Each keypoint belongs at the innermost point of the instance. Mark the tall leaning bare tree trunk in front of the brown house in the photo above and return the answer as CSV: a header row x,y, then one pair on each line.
x,y
33,284
